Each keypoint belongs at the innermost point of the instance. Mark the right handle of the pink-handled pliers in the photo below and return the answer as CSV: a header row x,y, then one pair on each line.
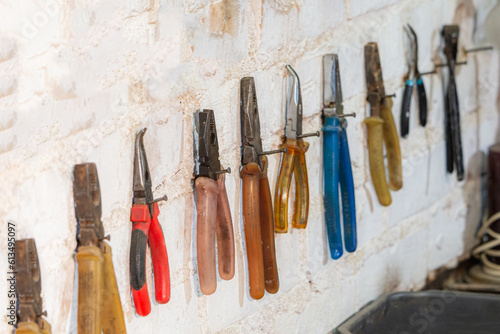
x,y
224,232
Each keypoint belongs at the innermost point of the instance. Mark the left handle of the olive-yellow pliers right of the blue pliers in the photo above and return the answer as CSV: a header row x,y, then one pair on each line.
x,y
374,125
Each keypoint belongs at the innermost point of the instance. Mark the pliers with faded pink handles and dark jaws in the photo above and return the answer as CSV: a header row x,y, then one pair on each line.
x,y
214,215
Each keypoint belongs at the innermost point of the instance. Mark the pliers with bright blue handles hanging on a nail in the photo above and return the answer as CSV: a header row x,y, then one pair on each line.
x,y
337,162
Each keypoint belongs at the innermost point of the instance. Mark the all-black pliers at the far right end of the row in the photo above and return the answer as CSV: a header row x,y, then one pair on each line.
x,y
454,156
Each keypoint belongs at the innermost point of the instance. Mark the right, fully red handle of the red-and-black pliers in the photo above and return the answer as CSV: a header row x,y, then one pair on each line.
x,y
160,258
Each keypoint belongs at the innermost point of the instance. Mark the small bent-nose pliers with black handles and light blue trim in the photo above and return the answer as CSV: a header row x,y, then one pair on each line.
x,y
413,76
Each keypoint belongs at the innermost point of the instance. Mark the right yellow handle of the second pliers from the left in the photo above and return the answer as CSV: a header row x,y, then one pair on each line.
x,y
112,319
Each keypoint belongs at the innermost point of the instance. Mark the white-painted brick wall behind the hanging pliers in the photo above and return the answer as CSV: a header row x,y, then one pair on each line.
x,y
79,78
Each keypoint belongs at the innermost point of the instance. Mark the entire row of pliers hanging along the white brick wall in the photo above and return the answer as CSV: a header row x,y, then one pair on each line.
x,y
99,306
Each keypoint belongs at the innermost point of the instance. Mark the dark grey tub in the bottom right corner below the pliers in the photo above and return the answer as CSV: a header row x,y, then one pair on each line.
x,y
427,312
